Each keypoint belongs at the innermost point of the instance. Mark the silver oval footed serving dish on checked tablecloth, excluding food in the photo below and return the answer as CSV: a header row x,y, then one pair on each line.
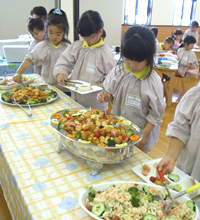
x,y
95,155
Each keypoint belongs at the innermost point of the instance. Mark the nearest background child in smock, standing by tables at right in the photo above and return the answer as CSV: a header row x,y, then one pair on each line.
x,y
187,58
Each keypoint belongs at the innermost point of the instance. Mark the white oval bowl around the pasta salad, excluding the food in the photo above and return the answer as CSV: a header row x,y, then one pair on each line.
x,y
103,186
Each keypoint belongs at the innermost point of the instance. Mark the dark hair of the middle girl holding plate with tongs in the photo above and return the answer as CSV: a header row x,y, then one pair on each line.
x,y
89,23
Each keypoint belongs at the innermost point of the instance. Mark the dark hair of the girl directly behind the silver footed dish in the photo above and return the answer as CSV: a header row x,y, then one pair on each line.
x,y
138,44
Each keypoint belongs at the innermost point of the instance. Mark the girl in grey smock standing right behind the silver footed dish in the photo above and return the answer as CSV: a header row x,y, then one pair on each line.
x,y
135,88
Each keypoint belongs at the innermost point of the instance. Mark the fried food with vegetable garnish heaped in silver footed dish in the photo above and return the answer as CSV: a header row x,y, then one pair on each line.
x,y
89,126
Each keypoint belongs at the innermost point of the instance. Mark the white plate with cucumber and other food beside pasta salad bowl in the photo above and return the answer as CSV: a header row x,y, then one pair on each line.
x,y
177,180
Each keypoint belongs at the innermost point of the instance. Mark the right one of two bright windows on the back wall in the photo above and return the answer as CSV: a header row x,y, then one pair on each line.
x,y
184,12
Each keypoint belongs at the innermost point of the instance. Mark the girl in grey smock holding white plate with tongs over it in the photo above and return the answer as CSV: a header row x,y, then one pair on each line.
x,y
91,60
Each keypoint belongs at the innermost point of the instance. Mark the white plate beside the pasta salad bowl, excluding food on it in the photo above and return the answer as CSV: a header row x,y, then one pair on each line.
x,y
185,180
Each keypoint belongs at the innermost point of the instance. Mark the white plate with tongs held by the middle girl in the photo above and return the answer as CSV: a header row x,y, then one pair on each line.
x,y
81,87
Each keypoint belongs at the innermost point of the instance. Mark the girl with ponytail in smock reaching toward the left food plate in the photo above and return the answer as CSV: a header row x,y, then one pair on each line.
x,y
48,51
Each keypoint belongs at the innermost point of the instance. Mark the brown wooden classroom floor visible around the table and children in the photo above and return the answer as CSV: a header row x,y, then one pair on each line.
x,y
158,151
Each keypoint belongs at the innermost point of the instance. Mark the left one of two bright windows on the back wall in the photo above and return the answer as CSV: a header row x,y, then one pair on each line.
x,y
137,12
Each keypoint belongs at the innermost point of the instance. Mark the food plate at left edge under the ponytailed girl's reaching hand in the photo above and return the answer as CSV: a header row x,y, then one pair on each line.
x,y
7,83
